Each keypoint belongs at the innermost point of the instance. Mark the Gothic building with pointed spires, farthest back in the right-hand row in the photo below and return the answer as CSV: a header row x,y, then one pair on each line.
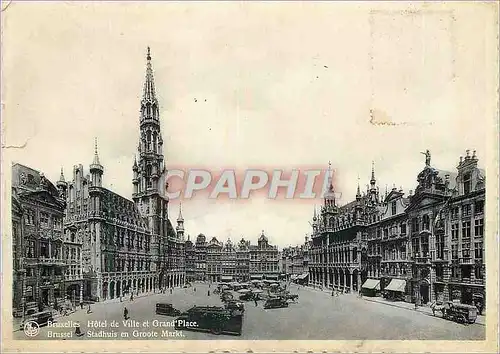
x,y
339,240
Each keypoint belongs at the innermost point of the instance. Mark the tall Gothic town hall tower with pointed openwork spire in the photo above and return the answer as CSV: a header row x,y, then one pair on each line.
x,y
147,170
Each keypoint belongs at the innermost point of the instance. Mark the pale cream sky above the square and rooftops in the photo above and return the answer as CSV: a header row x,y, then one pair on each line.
x,y
254,84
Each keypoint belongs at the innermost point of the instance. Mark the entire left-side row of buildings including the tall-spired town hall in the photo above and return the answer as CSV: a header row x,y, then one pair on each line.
x,y
80,241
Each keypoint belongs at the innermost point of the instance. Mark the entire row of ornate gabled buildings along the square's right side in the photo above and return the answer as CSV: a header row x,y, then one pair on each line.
x,y
426,247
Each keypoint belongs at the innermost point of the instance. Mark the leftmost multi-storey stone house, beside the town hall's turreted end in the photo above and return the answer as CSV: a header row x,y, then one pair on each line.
x,y
38,245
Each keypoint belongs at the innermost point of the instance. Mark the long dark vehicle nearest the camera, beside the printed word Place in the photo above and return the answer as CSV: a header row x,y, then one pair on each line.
x,y
214,319
